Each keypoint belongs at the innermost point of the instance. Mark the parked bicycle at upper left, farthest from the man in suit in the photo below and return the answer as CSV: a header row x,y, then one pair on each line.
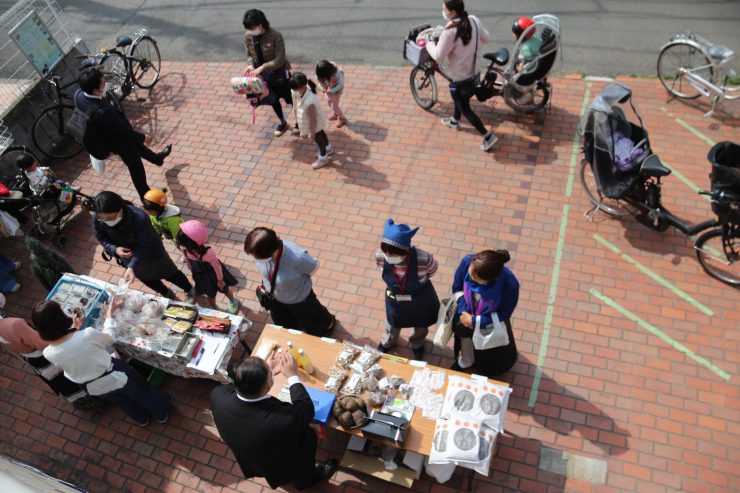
x,y
132,62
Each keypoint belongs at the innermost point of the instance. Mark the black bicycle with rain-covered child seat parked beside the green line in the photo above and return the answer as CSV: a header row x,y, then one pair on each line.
x,y
634,188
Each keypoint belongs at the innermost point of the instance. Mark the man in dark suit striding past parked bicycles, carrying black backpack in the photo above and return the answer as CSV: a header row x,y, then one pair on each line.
x,y
112,125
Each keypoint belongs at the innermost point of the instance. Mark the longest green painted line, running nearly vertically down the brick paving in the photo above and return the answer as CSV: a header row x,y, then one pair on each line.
x,y
558,258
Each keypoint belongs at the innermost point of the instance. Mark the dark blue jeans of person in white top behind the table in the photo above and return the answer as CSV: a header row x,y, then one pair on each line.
x,y
138,399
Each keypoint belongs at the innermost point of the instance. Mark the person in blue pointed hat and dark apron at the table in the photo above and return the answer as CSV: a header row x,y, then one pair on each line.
x,y
410,298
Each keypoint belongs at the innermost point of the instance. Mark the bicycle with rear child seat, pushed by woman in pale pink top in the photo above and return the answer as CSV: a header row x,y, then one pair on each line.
x,y
523,91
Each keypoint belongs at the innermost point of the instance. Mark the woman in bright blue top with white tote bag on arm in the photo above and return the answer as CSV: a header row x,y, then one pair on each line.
x,y
489,289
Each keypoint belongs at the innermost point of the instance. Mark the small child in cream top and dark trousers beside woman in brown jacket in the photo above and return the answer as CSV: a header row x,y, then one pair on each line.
x,y
310,116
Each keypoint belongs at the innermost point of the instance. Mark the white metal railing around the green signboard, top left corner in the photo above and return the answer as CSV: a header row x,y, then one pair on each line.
x,y
17,74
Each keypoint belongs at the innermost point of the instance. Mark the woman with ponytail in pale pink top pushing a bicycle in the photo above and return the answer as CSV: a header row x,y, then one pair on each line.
x,y
458,43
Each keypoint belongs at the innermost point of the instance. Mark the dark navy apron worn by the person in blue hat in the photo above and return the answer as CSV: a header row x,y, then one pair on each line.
x,y
419,304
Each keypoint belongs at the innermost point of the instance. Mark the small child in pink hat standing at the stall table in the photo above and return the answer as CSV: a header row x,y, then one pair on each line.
x,y
209,274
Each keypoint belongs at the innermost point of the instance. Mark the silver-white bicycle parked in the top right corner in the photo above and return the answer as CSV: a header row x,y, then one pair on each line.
x,y
689,66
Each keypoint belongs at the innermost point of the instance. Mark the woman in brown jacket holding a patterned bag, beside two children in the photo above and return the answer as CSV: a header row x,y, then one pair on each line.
x,y
266,57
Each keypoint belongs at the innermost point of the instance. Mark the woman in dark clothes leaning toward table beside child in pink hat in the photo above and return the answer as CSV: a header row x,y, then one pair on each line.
x,y
126,233
